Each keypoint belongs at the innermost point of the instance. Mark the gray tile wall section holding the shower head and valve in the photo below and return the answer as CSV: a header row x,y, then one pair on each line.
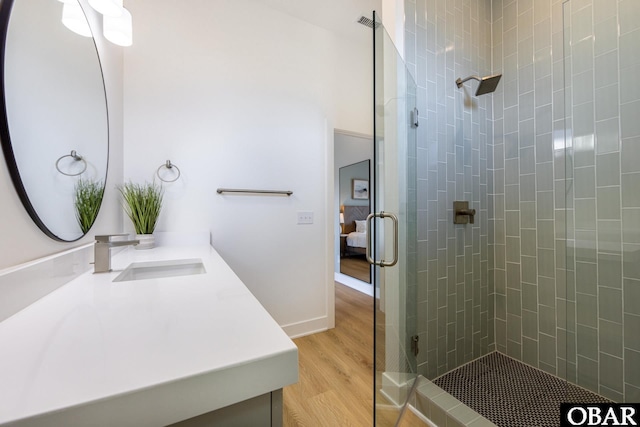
x,y
456,147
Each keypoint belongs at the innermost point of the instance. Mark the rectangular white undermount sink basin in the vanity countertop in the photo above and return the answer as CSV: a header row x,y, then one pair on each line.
x,y
161,269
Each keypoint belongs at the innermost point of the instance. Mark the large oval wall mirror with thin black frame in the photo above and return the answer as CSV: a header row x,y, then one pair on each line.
x,y
54,125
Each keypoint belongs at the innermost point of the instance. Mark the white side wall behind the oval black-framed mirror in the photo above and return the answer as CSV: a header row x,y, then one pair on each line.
x,y
20,239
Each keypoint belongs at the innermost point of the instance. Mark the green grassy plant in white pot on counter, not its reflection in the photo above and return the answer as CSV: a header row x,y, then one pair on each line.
x,y
142,203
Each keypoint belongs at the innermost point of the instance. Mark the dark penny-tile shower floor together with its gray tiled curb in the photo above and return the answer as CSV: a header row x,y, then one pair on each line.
x,y
503,392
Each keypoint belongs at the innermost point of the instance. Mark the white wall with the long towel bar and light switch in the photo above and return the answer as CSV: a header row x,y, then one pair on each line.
x,y
240,95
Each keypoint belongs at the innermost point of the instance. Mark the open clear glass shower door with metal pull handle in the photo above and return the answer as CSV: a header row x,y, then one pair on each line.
x,y
393,230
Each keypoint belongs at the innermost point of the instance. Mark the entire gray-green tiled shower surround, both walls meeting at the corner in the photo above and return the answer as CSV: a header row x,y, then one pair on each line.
x,y
550,272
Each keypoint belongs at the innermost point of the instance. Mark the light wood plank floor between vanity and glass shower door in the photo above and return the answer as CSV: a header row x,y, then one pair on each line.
x,y
335,386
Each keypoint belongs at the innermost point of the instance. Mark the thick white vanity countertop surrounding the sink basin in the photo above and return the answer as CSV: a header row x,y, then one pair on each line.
x,y
140,353
